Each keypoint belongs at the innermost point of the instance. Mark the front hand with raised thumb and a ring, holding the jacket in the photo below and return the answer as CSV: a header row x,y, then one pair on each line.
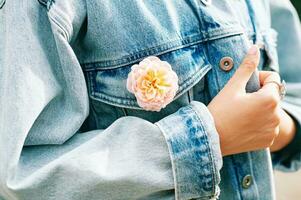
x,y
247,121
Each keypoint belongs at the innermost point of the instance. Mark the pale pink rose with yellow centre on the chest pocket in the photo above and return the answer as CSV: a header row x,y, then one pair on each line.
x,y
153,82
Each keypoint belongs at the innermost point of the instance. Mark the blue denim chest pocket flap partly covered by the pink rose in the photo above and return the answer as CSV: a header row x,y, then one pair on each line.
x,y
109,85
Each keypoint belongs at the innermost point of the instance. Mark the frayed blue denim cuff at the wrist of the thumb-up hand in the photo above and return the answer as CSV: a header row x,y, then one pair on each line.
x,y
194,148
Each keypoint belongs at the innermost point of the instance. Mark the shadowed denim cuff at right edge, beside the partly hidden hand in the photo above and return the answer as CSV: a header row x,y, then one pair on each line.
x,y
288,158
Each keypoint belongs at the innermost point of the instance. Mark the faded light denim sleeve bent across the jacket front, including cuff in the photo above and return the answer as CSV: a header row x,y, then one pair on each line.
x,y
44,101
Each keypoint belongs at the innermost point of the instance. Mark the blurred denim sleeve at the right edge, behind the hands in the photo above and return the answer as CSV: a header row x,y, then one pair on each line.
x,y
286,22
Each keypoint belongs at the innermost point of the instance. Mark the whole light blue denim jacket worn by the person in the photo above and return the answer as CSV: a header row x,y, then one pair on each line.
x,y
70,130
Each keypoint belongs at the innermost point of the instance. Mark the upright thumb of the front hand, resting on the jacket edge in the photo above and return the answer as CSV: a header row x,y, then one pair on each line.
x,y
246,69
